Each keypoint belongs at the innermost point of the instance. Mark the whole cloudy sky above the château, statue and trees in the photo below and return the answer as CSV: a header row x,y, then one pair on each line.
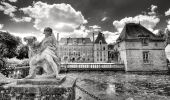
x,y
79,18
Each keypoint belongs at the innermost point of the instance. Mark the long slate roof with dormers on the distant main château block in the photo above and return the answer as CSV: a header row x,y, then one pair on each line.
x,y
77,40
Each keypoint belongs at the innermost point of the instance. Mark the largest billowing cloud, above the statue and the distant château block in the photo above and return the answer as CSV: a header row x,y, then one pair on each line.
x,y
61,17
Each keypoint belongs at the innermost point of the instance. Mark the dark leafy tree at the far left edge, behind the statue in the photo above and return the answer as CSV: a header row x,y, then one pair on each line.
x,y
8,45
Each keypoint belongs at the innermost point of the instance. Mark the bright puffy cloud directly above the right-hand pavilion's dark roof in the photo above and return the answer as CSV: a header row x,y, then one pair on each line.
x,y
147,21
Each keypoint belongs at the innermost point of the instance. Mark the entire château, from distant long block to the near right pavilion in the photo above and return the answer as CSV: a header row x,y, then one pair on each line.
x,y
136,47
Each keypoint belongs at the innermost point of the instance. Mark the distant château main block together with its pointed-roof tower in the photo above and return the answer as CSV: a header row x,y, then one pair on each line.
x,y
83,50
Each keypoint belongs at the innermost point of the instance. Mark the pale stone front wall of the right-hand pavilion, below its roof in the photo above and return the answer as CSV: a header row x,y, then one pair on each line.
x,y
134,56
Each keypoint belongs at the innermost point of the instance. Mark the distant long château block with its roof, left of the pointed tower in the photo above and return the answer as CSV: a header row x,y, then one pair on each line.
x,y
76,50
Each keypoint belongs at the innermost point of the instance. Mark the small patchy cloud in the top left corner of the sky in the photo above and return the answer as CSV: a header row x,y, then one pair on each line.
x,y
8,9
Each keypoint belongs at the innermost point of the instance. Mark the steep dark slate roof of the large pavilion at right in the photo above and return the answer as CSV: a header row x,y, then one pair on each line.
x,y
134,31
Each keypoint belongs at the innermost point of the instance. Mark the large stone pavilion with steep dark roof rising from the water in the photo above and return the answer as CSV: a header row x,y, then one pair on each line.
x,y
141,50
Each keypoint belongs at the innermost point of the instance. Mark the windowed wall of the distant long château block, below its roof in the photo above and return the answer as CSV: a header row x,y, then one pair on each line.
x,y
76,53
